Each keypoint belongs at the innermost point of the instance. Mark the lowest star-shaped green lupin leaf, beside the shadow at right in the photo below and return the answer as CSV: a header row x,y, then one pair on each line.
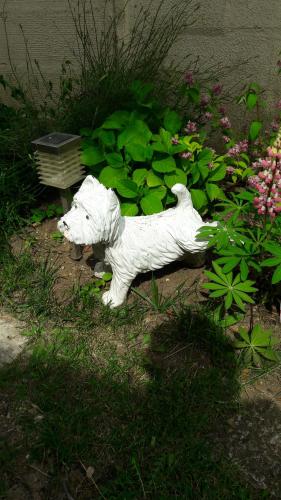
x,y
256,345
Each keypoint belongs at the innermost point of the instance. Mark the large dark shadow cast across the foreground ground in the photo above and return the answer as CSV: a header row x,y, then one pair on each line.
x,y
153,425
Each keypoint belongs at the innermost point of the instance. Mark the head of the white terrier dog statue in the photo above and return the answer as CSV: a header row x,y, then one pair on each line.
x,y
94,215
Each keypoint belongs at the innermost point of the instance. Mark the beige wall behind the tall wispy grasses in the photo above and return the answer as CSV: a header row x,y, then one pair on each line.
x,y
225,32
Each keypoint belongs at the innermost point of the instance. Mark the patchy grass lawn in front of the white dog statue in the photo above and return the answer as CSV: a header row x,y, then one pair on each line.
x,y
132,405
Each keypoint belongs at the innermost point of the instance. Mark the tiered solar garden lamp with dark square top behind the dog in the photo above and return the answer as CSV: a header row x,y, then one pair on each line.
x,y
58,165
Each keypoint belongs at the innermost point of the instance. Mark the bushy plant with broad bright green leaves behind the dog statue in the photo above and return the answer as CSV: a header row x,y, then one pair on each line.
x,y
142,166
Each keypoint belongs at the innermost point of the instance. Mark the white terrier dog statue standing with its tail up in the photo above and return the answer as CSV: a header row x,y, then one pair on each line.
x,y
130,245
